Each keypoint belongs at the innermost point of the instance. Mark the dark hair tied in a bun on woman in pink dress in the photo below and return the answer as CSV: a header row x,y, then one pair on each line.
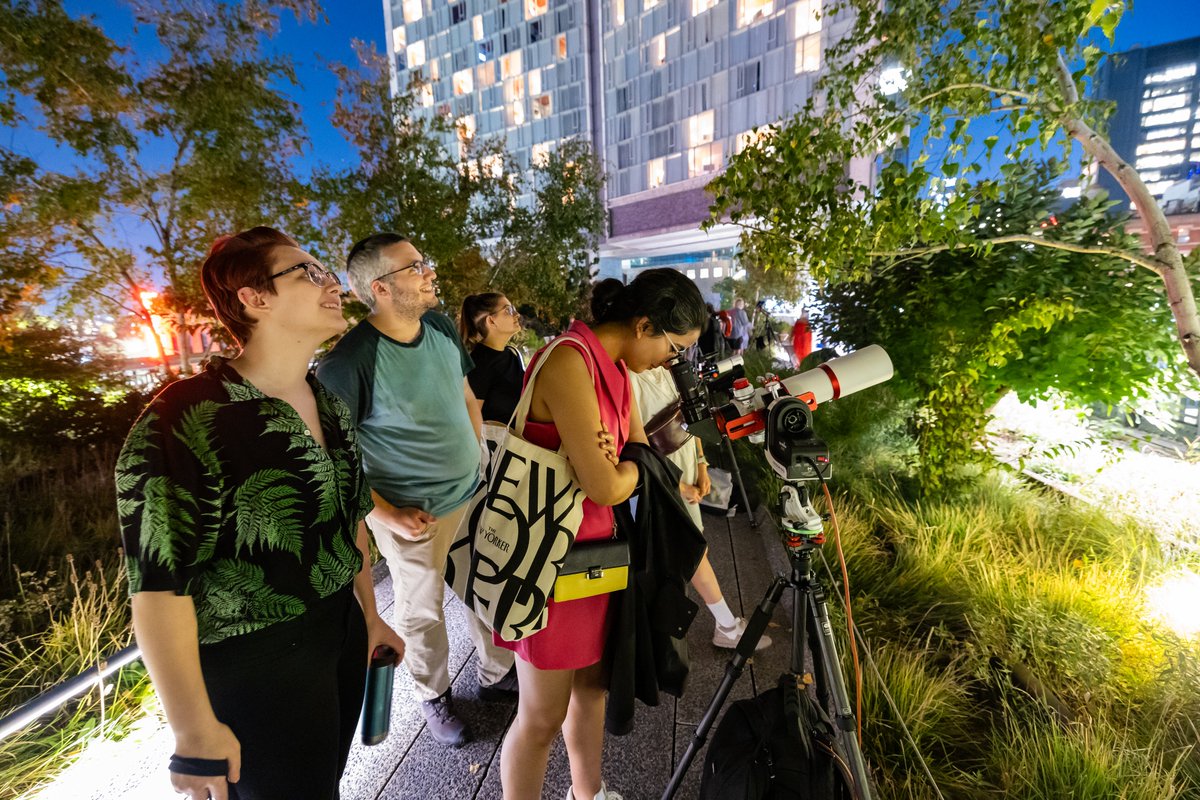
x,y
669,298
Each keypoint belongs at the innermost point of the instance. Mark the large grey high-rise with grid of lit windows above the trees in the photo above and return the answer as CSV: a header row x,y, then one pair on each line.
x,y
665,91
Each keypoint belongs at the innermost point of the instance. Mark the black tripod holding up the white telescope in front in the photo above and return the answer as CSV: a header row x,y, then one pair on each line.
x,y
811,629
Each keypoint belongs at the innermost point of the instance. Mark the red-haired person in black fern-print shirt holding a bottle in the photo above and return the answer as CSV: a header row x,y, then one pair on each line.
x,y
242,502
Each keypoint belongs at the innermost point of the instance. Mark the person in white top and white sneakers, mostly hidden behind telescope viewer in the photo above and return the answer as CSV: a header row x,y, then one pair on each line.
x,y
655,392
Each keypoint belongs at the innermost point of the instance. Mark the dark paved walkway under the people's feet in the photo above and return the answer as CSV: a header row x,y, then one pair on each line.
x,y
410,765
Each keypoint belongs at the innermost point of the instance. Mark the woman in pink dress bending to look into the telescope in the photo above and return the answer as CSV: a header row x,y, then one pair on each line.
x,y
583,389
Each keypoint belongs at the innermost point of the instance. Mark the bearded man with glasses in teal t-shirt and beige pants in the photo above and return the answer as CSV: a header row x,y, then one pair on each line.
x,y
403,371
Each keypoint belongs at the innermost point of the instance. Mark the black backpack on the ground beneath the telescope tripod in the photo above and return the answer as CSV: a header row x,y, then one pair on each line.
x,y
777,747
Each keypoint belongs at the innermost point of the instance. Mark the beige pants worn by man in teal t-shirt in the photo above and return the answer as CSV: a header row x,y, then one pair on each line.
x,y
419,585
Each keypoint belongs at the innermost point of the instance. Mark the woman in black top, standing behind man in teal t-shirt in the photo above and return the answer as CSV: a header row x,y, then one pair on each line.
x,y
488,324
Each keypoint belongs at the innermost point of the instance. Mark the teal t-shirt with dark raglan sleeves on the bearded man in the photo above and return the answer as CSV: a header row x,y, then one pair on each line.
x,y
419,446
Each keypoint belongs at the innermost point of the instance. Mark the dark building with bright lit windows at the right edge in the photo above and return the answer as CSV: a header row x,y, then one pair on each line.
x,y
1156,125
